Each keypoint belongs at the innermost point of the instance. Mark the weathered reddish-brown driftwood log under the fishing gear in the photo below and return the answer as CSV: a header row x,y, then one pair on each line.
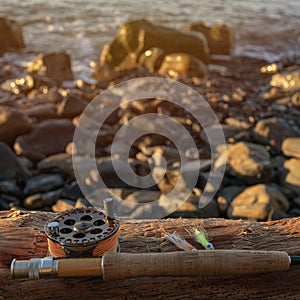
x,y
21,237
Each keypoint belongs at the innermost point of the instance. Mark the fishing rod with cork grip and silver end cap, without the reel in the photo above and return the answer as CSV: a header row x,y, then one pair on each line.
x,y
114,266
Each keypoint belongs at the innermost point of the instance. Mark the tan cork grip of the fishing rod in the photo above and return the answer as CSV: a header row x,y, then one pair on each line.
x,y
197,263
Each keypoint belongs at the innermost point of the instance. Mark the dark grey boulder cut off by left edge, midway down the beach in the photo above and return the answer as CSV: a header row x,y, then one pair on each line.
x,y
10,166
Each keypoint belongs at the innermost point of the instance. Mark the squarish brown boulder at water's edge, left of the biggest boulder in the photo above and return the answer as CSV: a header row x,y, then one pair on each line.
x,y
55,65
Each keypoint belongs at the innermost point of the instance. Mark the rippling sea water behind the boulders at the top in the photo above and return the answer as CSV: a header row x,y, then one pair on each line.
x,y
264,29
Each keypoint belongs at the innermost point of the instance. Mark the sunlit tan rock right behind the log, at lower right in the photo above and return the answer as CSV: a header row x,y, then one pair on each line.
x,y
257,202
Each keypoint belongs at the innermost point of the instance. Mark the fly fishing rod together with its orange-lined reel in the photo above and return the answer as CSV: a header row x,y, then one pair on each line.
x,y
84,242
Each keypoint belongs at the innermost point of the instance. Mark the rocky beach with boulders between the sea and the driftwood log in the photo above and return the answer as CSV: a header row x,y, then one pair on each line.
x,y
256,102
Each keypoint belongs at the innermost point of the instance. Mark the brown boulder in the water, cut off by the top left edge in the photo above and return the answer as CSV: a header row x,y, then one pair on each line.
x,y
11,36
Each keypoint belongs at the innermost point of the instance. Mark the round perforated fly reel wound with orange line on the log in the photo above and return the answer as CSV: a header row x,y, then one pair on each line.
x,y
81,232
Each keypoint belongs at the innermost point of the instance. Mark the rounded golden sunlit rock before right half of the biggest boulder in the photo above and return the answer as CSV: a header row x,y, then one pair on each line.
x,y
182,65
